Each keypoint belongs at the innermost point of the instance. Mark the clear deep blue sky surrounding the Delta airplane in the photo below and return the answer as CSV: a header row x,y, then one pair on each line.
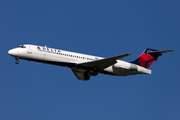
x,y
100,27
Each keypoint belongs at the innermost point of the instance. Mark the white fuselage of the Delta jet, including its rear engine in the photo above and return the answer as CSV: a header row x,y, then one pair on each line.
x,y
72,60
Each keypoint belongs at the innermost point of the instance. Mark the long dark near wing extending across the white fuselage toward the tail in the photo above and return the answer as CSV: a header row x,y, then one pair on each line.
x,y
103,63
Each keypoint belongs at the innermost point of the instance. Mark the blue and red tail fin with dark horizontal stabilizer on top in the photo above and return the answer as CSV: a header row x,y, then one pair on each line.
x,y
148,57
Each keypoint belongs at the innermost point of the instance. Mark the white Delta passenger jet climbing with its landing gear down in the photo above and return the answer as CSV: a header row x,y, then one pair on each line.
x,y
84,66
